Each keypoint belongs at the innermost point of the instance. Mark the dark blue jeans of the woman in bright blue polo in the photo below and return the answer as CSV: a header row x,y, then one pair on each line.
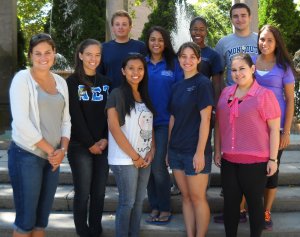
x,y
159,182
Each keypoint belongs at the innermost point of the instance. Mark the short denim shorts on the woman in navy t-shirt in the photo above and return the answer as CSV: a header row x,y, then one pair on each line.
x,y
184,161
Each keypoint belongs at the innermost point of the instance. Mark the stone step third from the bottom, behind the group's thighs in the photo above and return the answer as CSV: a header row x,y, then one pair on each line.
x,y
289,170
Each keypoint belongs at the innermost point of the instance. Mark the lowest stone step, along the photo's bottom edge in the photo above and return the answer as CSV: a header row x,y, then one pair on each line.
x,y
61,225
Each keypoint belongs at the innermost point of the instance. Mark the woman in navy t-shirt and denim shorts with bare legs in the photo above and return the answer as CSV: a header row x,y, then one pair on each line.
x,y
190,106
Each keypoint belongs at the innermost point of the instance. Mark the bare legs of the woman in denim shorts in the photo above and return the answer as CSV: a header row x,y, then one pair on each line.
x,y
195,207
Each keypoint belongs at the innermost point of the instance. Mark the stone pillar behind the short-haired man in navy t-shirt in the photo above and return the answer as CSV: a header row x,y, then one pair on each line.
x,y
111,8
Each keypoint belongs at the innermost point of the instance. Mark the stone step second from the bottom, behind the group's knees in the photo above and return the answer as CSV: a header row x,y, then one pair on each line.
x,y
287,199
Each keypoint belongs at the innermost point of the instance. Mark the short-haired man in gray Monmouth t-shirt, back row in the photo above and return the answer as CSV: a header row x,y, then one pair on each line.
x,y
241,41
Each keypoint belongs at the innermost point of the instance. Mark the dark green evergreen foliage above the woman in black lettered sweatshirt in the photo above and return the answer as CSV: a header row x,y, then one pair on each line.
x,y
74,21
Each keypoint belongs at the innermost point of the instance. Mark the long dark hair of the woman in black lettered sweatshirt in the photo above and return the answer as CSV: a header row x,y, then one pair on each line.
x,y
79,70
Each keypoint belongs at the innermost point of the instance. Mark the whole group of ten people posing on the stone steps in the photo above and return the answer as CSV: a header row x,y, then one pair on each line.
x,y
138,108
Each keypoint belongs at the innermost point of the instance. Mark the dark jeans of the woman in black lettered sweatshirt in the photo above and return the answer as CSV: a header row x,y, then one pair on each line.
x,y
90,174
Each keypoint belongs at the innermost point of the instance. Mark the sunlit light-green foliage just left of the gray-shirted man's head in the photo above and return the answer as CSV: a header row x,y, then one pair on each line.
x,y
216,13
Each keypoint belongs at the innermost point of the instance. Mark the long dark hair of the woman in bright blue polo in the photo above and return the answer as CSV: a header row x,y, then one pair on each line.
x,y
168,53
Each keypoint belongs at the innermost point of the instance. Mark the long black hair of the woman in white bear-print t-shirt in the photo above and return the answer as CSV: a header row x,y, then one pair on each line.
x,y
142,87
